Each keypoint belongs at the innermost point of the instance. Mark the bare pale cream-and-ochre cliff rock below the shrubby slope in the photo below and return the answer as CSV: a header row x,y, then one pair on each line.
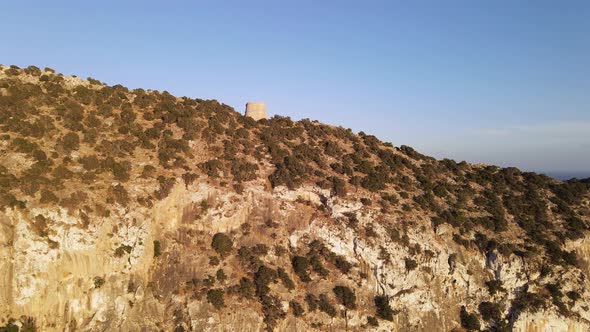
x,y
57,284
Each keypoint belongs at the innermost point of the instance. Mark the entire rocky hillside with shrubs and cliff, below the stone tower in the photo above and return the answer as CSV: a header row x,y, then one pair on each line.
x,y
135,210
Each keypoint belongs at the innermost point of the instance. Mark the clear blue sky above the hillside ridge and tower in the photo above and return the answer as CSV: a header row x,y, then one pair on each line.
x,y
501,82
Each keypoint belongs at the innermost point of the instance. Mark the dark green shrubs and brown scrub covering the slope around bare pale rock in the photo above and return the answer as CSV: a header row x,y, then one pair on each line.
x,y
92,149
